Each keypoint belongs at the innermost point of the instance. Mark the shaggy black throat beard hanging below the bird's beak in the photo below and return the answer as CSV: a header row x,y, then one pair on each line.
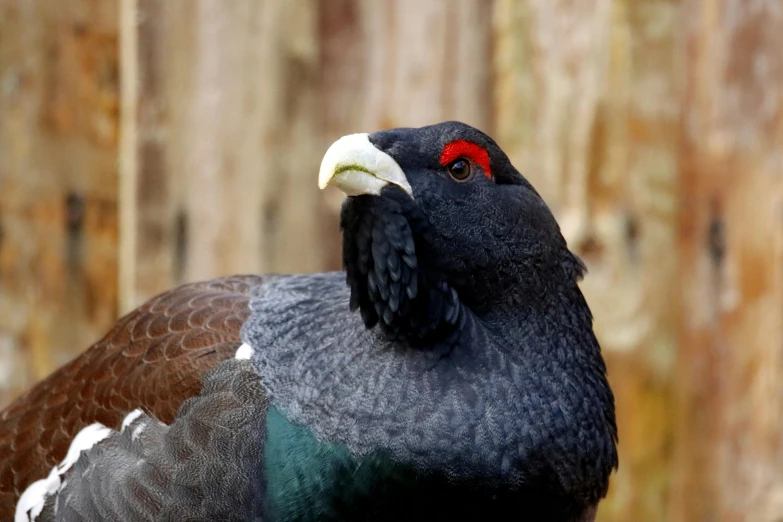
x,y
384,242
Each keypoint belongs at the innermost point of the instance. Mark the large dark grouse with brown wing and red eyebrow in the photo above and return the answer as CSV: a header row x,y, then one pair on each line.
x,y
449,371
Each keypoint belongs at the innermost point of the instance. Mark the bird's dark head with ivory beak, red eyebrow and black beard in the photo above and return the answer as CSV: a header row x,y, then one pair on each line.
x,y
438,219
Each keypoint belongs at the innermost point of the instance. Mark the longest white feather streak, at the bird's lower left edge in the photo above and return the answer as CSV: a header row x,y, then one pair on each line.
x,y
32,501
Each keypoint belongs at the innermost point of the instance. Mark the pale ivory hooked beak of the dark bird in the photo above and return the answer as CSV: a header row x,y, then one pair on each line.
x,y
356,167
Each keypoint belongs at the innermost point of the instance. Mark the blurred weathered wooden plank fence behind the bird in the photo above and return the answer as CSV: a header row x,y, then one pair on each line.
x,y
145,143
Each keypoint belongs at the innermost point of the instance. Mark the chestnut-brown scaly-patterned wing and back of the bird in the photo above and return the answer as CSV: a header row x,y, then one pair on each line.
x,y
152,359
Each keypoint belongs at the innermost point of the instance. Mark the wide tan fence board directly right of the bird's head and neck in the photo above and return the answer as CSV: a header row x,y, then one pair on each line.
x,y
586,104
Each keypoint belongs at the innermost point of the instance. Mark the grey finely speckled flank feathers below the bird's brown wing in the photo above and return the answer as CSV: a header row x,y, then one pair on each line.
x,y
205,466
